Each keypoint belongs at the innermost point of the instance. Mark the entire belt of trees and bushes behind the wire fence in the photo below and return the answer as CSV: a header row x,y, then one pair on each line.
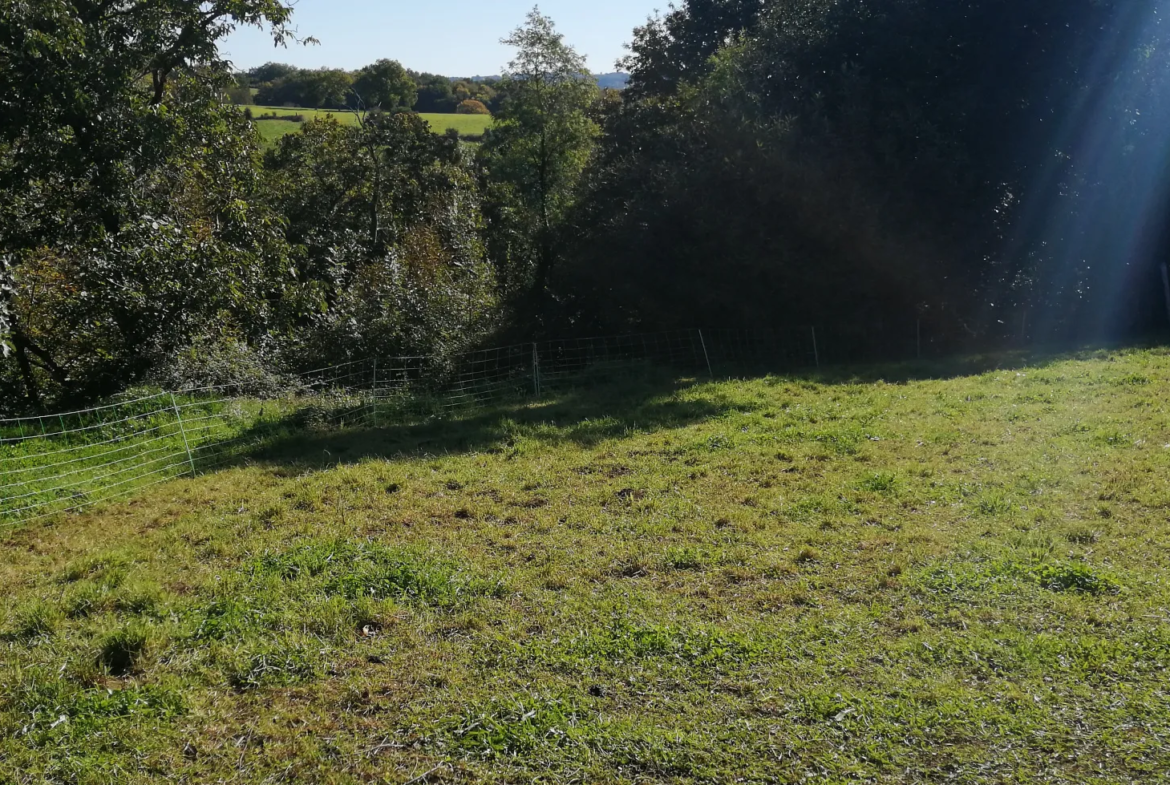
x,y
978,167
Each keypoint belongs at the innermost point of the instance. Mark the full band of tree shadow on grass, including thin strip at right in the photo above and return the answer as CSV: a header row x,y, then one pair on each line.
x,y
582,417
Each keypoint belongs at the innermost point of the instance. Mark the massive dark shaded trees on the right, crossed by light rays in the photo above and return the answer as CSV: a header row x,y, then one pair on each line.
x,y
852,163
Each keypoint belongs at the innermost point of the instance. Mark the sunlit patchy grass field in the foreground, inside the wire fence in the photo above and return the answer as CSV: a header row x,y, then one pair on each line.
x,y
871,577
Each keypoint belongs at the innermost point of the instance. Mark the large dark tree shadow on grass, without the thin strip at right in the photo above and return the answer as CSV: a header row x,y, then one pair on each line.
x,y
581,417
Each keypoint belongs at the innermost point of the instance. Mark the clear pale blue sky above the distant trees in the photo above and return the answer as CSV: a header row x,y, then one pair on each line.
x,y
453,38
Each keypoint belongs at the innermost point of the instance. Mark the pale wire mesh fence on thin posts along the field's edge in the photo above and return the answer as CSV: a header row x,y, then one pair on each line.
x,y
68,462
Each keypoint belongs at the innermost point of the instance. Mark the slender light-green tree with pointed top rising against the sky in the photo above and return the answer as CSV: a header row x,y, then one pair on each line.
x,y
536,153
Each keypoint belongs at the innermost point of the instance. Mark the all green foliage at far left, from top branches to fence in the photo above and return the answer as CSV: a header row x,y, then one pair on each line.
x,y
126,184
